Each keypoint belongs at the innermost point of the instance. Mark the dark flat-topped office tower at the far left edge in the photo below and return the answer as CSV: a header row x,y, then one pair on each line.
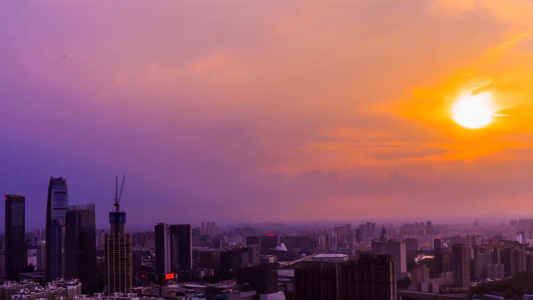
x,y
16,259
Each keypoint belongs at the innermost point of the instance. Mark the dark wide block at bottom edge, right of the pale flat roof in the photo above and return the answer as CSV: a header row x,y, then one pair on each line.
x,y
371,277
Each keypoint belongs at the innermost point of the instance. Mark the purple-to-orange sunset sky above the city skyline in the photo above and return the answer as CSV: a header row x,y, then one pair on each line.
x,y
257,111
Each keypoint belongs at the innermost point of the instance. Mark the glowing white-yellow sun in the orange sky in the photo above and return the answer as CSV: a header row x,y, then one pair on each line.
x,y
473,111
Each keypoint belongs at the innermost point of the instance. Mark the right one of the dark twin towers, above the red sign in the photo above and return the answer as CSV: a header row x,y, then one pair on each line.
x,y
181,247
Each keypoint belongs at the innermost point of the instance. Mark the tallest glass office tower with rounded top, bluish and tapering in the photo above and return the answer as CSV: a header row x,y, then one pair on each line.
x,y
55,228
